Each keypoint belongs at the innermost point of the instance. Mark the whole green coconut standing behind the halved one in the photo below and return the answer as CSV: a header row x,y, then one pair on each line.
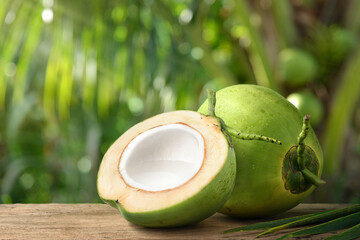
x,y
270,178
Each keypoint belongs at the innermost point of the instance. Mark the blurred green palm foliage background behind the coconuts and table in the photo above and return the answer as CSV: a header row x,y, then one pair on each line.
x,y
75,75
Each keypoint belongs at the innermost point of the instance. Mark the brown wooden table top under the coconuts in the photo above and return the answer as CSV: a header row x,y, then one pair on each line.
x,y
100,221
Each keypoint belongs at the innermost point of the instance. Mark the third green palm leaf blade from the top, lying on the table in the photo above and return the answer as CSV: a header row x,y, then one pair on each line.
x,y
334,225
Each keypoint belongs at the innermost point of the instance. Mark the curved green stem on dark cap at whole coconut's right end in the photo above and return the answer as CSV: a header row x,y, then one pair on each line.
x,y
309,176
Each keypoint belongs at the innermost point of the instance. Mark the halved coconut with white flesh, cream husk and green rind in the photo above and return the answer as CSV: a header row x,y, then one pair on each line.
x,y
173,169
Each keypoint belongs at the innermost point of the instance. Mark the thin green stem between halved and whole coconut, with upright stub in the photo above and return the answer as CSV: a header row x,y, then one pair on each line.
x,y
230,131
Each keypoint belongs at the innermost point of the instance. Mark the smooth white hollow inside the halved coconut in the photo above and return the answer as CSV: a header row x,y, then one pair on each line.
x,y
162,158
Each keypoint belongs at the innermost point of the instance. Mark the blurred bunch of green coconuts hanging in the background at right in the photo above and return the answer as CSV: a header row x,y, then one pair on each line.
x,y
305,71
